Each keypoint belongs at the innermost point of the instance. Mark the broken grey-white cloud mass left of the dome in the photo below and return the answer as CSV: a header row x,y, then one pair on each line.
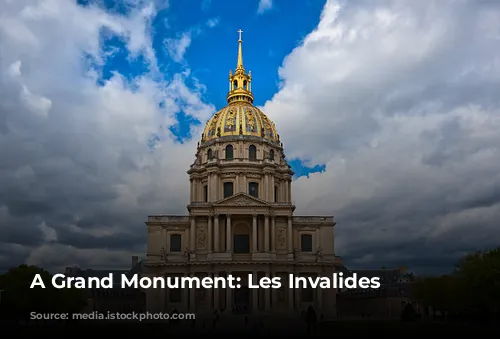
x,y
84,159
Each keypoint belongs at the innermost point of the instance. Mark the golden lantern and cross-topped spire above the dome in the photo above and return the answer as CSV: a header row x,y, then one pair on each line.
x,y
240,87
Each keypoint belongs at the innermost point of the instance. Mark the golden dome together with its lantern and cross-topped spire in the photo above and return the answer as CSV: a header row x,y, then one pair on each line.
x,y
240,117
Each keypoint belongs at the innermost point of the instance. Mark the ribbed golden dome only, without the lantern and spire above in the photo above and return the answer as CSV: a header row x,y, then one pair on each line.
x,y
240,118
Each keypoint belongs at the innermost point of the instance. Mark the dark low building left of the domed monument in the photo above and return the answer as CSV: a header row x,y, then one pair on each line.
x,y
115,301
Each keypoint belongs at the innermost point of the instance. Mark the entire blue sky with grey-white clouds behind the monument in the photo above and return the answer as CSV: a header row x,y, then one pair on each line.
x,y
389,112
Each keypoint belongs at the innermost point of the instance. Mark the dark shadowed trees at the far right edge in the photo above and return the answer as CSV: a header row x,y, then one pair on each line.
x,y
470,292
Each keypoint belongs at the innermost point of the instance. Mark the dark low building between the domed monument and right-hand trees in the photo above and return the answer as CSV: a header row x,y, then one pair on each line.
x,y
386,302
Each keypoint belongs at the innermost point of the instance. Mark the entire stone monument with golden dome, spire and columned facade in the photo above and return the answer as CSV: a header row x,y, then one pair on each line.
x,y
241,220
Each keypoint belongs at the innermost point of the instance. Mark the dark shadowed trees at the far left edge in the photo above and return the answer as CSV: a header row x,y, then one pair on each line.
x,y
21,303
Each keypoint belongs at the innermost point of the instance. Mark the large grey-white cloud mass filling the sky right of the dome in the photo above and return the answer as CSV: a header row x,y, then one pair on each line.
x,y
400,101
